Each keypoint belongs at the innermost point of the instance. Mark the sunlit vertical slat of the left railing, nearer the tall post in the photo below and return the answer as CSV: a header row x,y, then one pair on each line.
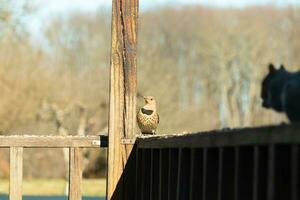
x,y
75,176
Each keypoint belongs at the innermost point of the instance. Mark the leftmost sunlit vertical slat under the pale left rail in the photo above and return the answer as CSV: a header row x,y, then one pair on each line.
x,y
16,173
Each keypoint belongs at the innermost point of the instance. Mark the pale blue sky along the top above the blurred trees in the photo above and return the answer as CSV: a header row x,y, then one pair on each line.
x,y
46,9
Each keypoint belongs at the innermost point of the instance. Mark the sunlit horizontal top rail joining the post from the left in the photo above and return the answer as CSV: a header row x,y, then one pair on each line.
x,y
35,141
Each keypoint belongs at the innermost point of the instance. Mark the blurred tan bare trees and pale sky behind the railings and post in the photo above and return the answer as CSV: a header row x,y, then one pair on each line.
x,y
203,60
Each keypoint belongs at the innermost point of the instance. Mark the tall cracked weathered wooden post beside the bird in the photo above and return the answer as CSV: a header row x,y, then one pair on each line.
x,y
122,112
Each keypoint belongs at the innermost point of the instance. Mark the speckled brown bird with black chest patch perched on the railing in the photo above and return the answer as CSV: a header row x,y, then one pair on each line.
x,y
147,116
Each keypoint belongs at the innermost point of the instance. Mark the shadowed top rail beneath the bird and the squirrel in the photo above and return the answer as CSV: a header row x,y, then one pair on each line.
x,y
282,134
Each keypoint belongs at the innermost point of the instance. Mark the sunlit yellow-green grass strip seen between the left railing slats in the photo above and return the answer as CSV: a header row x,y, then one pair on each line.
x,y
90,187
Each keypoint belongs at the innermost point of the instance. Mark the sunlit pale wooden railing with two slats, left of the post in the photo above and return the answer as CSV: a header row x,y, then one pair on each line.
x,y
75,145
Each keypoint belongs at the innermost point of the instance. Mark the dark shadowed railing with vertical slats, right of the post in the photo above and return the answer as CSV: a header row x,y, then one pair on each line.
x,y
241,164
